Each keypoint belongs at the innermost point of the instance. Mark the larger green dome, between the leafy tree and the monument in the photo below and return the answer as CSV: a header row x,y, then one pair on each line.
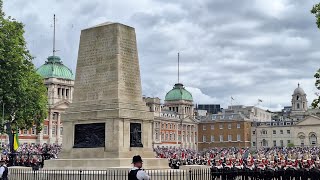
x,y
53,68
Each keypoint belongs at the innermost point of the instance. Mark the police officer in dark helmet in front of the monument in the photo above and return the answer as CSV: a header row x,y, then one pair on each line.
x,y
136,173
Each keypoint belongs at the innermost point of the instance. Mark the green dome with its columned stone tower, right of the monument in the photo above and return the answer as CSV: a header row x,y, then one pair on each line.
x,y
179,100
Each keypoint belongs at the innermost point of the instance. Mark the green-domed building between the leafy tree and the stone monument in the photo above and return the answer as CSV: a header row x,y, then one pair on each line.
x,y
59,81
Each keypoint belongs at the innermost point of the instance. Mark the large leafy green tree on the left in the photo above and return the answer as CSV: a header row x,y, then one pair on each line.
x,y
21,88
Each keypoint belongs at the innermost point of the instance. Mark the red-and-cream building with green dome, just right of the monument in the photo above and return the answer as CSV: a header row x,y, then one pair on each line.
x,y
174,123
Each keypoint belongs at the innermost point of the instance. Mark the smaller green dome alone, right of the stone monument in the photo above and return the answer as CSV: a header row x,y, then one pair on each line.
x,y
178,93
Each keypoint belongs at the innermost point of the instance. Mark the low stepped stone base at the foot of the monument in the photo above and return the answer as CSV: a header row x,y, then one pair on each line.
x,y
104,163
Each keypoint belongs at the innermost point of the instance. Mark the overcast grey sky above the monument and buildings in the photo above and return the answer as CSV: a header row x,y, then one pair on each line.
x,y
248,49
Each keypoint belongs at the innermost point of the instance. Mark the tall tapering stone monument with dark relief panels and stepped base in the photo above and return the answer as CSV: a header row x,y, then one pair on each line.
x,y
107,123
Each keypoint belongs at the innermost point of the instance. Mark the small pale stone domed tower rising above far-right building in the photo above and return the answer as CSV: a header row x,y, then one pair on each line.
x,y
299,100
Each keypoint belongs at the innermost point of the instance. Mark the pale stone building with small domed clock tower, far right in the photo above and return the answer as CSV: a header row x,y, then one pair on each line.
x,y
295,125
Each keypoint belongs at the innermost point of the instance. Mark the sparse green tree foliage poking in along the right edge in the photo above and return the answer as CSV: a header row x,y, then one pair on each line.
x,y
316,11
